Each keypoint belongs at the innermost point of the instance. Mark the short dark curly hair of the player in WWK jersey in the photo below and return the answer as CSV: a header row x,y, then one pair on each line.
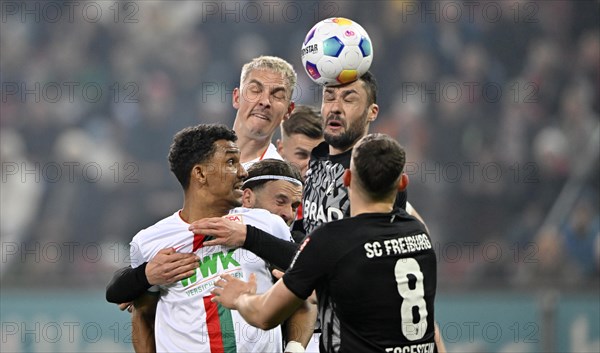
x,y
194,145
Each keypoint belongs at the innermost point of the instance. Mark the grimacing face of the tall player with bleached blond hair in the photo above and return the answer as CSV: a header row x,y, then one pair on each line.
x,y
262,102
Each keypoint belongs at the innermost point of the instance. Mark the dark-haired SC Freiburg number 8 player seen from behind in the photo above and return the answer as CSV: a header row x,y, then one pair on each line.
x,y
374,273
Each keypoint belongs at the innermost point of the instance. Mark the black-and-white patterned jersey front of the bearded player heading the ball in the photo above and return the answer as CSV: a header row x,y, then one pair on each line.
x,y
325,197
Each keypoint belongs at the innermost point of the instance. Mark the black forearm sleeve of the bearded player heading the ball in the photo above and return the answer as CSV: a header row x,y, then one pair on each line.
x,y
271,249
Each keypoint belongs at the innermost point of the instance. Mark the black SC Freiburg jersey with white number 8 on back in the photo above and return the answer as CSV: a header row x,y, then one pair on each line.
x,y
375,276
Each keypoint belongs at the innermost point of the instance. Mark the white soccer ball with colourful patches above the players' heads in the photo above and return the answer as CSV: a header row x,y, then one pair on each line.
x,y
336,51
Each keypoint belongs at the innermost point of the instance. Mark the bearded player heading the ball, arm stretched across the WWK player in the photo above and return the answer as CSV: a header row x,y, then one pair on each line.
x,y
347,111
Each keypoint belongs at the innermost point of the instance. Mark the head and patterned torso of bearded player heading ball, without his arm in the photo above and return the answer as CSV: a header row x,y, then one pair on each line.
x,y
347,110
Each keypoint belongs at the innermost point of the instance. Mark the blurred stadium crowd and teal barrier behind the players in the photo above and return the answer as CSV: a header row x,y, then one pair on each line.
x,y
495,101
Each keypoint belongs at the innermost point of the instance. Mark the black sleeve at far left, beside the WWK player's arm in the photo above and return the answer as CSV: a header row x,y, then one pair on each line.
x,y
127,284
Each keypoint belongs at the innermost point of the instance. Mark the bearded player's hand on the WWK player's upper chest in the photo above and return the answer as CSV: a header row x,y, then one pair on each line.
x,y
225,231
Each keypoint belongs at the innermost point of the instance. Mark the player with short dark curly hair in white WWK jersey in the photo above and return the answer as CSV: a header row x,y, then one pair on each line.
x,y
205,160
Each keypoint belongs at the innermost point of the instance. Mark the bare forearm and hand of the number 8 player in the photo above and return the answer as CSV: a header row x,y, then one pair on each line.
x,y
239,295
